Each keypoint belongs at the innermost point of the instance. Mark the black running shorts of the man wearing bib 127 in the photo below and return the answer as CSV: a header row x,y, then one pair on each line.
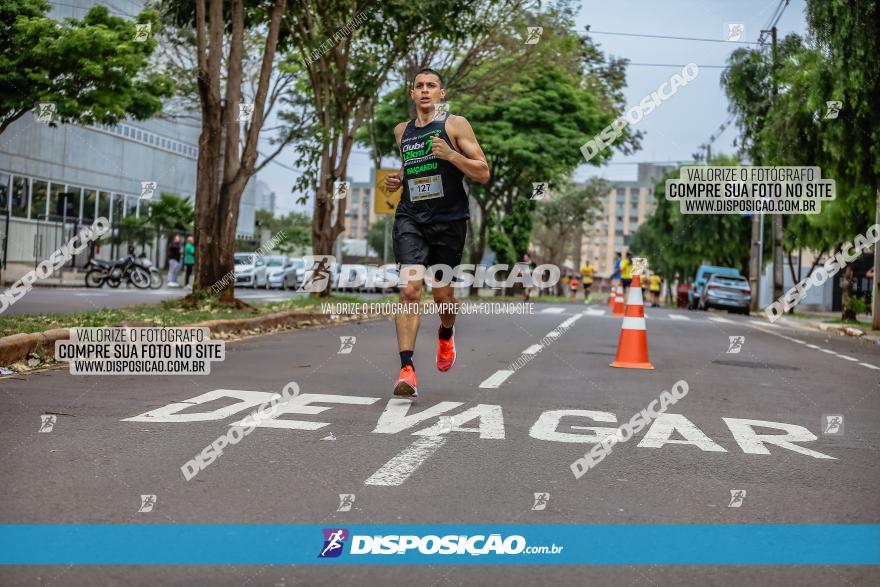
x,y
436,243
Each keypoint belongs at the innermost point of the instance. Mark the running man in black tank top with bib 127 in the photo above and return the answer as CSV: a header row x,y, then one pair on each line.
x,y
438,151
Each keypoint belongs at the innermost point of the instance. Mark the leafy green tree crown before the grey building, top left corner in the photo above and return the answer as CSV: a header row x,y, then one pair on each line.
x,y
93,70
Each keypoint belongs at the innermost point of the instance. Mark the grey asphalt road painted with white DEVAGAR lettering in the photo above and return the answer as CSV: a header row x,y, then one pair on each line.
x,y
106,449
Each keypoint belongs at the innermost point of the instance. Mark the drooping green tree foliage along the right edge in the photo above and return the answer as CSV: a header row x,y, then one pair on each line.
x,y
790,128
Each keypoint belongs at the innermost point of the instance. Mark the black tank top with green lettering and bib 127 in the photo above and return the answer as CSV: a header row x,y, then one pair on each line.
x,y
433,189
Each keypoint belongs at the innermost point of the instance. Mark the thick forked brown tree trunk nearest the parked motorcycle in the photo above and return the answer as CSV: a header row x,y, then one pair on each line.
x,y
227,143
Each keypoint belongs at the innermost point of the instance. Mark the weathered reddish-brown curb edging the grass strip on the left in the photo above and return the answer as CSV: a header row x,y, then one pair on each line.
x,y
17,347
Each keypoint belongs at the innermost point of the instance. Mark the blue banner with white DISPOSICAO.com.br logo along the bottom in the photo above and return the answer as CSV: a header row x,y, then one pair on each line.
x,y
603,544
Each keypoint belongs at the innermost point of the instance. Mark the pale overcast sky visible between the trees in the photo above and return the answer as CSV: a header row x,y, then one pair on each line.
x,y
677,127
